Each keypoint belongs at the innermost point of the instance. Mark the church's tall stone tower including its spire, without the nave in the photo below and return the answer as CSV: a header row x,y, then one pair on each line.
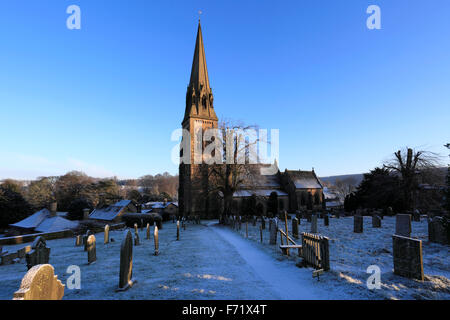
x,y
199,113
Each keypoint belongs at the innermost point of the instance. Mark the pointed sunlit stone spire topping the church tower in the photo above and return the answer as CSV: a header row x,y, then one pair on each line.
x,y
199,96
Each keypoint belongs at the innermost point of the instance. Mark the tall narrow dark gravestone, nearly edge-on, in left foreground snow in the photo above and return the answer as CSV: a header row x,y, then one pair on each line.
x,y
126,263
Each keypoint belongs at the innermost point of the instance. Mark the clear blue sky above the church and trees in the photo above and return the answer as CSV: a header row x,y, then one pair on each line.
x,y
105,99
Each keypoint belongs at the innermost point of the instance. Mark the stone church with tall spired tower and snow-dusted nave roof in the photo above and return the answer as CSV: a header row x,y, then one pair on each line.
x,y
295,189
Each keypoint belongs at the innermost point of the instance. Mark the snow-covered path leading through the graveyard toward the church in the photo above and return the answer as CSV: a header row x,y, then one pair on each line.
x,y
287,280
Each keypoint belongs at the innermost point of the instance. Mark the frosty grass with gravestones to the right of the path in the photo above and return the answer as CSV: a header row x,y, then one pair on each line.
x,y
352,253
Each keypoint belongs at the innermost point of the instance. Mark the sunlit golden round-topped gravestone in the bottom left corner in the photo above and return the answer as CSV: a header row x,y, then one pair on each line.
x,y
40,283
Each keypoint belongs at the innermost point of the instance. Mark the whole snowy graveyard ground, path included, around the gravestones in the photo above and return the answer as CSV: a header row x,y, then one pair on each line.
x,y
216,262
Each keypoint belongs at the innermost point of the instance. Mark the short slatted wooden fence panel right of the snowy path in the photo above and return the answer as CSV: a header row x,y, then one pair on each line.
x,y
315,251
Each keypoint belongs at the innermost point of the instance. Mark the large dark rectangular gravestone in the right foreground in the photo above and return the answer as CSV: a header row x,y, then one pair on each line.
x,y
407,254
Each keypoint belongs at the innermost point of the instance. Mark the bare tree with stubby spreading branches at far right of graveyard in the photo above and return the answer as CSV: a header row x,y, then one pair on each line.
x,y
409,164
